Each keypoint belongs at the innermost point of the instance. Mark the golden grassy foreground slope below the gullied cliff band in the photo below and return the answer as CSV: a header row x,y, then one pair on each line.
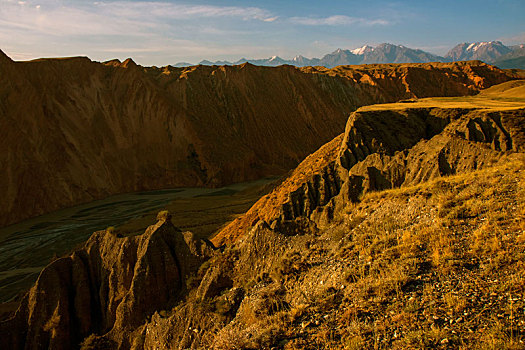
x,y
438,265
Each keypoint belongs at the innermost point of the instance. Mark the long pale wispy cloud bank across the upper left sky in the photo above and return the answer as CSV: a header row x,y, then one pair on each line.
x,y
112,18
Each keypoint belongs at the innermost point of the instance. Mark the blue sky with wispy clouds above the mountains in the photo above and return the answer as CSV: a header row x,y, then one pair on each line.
x,y
165,32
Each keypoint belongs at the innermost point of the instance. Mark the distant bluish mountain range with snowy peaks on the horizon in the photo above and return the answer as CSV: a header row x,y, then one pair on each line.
x,y
490,52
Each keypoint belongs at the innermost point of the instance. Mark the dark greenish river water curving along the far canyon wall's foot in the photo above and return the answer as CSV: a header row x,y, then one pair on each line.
x,y
26,247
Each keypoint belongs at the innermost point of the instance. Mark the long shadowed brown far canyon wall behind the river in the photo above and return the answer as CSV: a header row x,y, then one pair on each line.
x,y
77,130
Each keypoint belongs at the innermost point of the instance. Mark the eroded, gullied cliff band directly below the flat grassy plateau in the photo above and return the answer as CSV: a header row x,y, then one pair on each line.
x,y
383,149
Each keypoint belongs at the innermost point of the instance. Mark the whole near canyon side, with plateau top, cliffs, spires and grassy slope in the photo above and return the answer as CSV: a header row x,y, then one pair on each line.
x,y
327,259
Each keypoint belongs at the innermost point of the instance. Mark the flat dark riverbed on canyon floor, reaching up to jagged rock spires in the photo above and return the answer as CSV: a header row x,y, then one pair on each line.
x,y
26,247
